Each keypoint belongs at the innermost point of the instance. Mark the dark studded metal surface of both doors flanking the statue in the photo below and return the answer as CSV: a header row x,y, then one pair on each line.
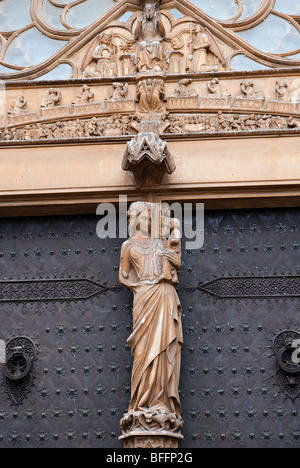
x,y
59,293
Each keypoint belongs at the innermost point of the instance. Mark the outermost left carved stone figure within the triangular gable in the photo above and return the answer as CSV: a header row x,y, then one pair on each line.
x,y
104,54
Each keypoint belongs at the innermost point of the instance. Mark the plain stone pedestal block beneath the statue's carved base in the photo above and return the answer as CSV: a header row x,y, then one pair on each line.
x,y
151,439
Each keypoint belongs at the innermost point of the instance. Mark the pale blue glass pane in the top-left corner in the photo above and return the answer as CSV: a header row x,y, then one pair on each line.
x,y
14,14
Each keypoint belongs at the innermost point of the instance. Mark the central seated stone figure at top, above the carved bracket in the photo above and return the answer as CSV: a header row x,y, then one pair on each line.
x,y
149,34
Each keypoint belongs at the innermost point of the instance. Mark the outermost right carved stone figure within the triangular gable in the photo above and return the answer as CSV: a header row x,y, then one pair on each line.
x,y
201,43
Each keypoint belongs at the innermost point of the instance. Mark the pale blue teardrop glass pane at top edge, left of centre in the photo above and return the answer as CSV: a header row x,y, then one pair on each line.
x,y
83,14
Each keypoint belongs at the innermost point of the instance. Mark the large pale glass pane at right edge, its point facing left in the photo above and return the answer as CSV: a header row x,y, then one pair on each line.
x,y
274,35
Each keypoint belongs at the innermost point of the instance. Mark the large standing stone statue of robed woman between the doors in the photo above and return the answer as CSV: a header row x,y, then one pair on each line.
x,y
157,337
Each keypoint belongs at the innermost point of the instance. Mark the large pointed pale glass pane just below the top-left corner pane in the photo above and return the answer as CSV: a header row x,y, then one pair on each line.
x,y
31,48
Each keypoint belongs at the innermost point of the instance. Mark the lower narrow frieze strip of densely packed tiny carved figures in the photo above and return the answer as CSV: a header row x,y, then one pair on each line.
x,y
124,125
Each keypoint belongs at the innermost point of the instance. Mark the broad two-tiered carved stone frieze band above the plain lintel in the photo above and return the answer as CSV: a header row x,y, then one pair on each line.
x,y
118,108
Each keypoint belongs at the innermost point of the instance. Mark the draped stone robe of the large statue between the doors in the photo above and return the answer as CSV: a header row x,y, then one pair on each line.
x,y
156,339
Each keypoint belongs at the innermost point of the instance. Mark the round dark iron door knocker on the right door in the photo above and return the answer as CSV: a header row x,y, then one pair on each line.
x,y
286,346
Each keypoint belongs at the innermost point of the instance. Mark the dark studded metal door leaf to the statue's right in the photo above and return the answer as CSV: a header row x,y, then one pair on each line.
x,y
238,293
